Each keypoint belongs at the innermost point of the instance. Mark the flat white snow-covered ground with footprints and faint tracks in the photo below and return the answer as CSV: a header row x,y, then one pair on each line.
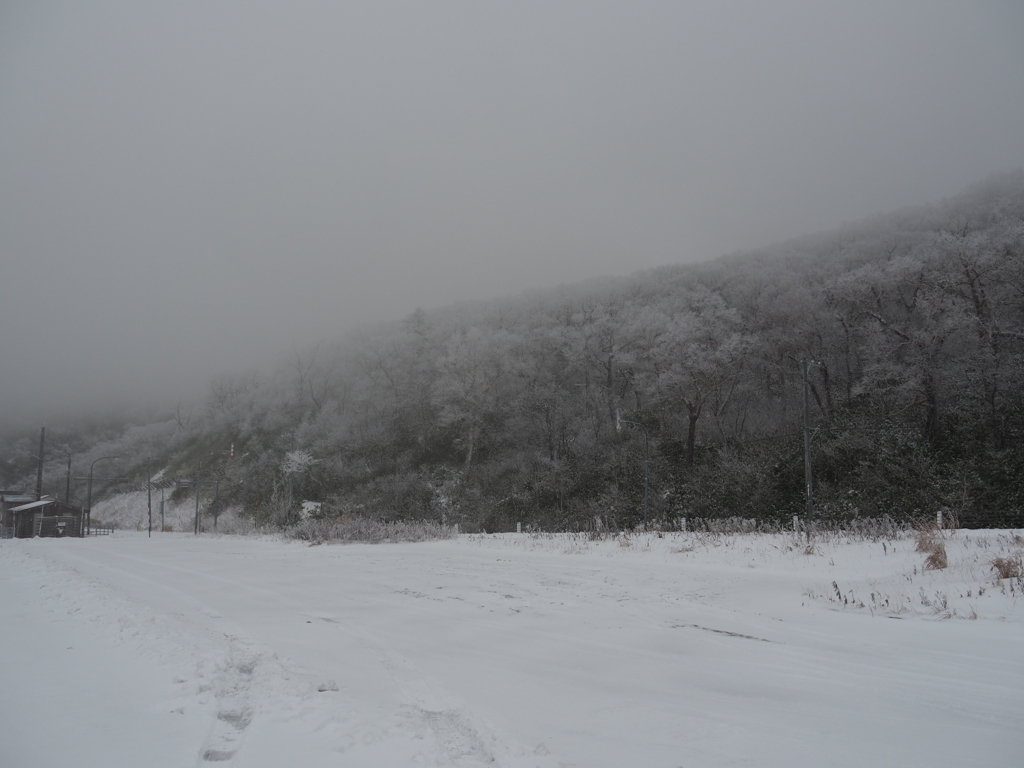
x,y
509,651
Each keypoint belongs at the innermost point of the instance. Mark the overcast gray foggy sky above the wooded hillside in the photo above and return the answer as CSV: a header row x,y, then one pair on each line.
x,y
189,189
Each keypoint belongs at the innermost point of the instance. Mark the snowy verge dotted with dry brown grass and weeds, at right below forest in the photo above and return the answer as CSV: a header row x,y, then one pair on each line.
x,y
924,573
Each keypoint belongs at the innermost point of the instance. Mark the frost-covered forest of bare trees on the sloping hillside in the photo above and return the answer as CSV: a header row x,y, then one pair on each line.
x,y
494,414
